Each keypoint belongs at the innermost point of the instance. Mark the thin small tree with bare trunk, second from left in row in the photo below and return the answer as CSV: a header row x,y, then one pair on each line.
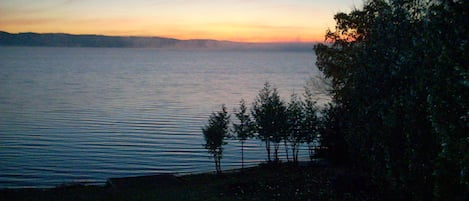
x,y
245,128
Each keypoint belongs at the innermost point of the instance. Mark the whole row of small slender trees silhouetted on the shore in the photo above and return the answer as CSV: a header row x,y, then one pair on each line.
x,y
271,120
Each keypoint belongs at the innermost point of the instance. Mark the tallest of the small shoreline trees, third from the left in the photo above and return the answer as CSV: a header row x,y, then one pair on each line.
x,y
269,114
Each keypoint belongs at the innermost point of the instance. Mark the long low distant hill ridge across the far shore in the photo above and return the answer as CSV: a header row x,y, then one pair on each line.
x,y
70,40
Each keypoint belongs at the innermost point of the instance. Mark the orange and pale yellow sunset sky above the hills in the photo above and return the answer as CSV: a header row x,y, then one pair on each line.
x,y
233,20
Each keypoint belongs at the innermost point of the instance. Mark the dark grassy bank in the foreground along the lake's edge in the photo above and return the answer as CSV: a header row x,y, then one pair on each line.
x,y
264,182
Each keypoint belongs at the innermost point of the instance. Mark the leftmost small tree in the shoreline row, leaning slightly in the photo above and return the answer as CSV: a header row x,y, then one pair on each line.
x,y
215,133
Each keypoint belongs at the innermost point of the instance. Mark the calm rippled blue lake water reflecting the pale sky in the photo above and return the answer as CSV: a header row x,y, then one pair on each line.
x,y
85,115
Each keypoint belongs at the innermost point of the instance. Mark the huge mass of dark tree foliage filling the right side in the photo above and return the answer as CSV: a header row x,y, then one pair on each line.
x,y
399,71
